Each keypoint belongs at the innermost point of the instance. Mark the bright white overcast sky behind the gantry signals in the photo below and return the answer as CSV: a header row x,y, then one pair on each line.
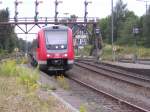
x,y
98,8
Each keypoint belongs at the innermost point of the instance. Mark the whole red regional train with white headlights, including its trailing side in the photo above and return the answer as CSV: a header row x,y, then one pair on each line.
x,y
54,48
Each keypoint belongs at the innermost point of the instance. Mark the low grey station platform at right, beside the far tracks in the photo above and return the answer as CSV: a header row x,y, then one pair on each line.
x,y
132,67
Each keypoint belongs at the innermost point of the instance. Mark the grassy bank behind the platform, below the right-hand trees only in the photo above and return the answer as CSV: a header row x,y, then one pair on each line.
x,y
125,52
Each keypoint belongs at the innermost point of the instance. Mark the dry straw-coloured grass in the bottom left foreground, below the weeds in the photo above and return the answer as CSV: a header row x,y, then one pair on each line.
x,y
14,98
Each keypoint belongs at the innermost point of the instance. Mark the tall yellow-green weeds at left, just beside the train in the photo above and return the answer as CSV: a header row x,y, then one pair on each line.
x,y
24,75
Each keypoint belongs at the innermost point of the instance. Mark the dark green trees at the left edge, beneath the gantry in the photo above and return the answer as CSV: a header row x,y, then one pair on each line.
x,y
8,37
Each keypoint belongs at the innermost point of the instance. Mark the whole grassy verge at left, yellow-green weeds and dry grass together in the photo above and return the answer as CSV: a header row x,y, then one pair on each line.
x,y
19,91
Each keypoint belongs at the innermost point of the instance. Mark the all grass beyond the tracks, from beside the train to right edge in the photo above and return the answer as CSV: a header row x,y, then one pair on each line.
x,y
121,51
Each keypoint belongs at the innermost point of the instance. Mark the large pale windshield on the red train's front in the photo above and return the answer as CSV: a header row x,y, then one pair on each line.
x,y
56,37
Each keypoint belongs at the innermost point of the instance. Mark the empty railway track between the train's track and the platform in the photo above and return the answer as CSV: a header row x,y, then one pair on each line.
x,y
122,75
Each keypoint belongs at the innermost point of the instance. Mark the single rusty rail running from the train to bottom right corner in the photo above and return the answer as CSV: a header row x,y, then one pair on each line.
x,y
133,107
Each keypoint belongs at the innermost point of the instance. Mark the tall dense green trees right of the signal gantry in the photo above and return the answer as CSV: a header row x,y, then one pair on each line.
x,y
124,22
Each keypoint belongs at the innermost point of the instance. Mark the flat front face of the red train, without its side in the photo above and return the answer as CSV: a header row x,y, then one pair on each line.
x,y
59,48
